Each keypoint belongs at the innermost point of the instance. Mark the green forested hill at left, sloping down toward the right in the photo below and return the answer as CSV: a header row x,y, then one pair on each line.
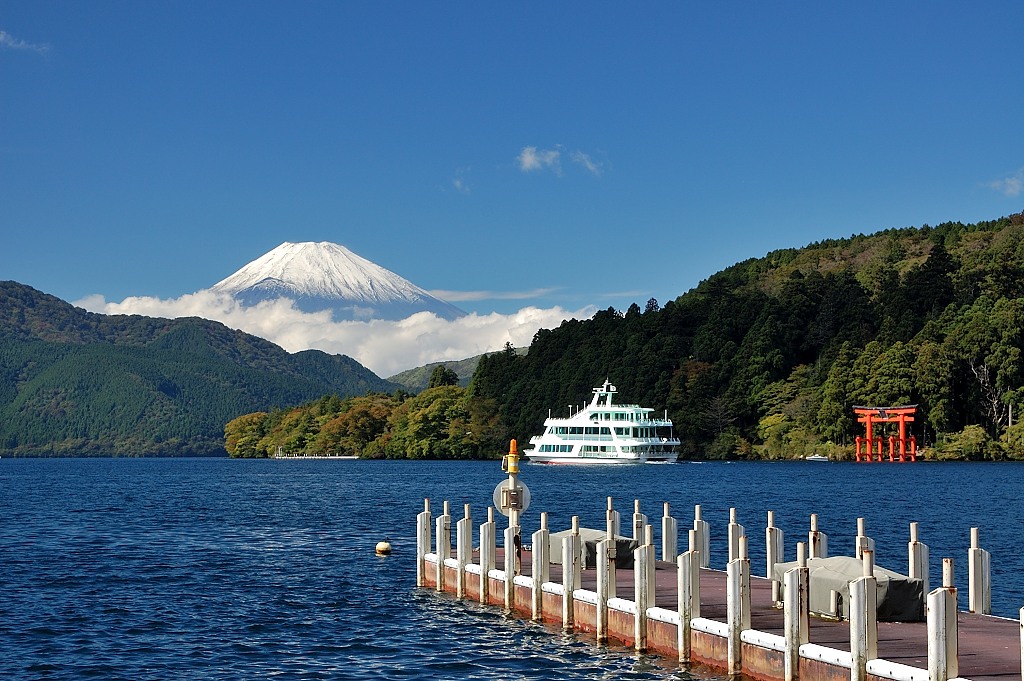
x,y
77,384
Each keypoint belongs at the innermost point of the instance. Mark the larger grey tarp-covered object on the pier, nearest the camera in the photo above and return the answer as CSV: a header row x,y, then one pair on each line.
x,y
900,598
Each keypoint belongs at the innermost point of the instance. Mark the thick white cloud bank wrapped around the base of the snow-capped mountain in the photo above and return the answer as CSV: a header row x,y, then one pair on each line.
x,y
385,348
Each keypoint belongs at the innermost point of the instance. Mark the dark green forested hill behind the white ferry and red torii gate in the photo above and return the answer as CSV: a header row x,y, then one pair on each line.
x,y
767,358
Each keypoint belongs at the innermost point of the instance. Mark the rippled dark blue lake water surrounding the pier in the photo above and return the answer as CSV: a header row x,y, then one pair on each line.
x,y
217,569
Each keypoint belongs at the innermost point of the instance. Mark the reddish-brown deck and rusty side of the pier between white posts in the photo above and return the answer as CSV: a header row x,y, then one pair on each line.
x,y
990,648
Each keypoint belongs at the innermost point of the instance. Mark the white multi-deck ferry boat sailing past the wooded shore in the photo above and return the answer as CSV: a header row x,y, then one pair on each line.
x,y
605,433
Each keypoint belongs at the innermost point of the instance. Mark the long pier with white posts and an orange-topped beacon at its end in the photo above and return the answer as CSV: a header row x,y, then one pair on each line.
x,y
787,623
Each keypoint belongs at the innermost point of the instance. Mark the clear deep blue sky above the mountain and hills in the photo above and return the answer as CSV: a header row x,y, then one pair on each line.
x,y
533,154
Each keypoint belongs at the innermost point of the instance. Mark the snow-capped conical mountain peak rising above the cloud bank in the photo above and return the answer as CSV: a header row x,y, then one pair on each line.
x,y
323,276
